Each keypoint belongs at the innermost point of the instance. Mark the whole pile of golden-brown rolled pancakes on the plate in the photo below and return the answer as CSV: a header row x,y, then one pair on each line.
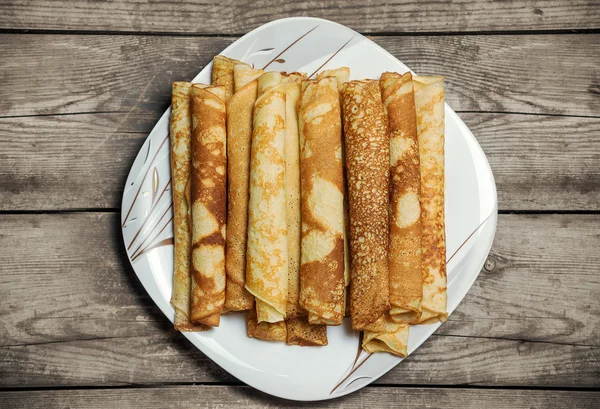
x,y
306,200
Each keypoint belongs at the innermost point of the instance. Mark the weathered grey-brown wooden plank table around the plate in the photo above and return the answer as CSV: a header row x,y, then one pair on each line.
x,y
82,84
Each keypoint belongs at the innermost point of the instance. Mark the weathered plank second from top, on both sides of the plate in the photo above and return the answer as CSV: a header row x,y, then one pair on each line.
x,y
545,74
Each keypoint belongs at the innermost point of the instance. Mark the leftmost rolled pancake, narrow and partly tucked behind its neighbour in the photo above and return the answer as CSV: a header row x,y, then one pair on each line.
x,y
181,158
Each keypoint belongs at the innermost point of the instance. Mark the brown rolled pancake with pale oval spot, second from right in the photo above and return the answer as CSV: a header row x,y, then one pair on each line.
x,y
406,278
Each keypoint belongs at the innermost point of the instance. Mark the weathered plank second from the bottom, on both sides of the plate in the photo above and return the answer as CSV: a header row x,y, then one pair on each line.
x,y
442,360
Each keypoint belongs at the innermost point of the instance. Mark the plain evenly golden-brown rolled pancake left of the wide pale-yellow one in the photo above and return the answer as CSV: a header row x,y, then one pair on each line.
x,y
239,133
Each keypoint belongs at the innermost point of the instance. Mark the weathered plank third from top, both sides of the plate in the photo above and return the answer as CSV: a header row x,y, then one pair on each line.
x,y
82,161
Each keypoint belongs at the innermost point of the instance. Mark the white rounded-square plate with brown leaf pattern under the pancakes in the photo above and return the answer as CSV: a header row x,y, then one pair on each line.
x,y
292,372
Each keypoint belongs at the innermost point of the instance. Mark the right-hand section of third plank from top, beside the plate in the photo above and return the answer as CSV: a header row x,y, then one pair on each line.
x,y
541,162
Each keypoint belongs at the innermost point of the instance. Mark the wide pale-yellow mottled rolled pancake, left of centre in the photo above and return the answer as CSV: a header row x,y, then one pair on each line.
x,y
267,253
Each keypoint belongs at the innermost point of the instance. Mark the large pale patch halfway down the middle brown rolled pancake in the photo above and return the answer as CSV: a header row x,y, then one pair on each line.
x,y
326,203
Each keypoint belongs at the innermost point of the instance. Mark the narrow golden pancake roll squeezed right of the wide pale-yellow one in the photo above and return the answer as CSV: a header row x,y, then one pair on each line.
x,y
293,84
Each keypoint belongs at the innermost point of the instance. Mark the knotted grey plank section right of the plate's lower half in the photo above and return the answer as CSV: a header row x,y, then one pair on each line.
x,y
524,292
